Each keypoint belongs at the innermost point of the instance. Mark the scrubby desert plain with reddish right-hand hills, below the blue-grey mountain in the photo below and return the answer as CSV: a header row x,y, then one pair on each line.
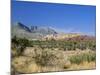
x,y
73,53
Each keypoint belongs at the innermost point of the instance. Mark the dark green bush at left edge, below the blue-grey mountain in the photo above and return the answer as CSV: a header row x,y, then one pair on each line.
x,y
19,44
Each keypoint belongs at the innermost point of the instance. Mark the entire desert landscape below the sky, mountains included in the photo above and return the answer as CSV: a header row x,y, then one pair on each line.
x,y
42,49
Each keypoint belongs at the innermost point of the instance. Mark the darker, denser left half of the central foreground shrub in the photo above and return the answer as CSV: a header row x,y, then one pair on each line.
x,y
43,57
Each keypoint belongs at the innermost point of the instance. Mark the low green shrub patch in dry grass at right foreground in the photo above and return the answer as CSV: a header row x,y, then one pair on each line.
x,y
88,57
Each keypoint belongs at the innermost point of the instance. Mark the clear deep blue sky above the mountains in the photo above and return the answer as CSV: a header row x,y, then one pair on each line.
x,y
61,17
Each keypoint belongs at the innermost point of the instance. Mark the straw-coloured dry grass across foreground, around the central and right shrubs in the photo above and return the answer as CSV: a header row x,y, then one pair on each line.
x,y
27,64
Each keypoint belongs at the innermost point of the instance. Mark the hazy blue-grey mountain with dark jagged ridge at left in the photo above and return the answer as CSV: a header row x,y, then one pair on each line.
x,y
19,29
